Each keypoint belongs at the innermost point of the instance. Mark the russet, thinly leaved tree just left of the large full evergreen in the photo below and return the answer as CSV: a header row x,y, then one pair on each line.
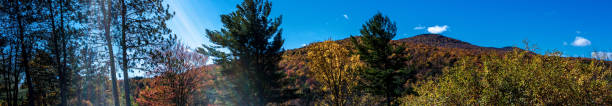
x,y
180,74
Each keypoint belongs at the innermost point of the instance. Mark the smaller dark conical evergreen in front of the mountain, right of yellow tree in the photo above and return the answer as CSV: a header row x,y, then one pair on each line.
x,y
386,75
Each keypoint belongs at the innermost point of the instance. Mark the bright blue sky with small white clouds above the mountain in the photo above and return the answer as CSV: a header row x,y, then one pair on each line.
x,y
576,27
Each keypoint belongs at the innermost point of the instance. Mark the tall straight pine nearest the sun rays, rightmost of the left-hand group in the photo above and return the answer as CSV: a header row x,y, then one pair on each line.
x,y
143,29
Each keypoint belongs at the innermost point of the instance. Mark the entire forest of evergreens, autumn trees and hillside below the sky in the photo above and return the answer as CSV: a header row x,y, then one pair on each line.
x,y
81,52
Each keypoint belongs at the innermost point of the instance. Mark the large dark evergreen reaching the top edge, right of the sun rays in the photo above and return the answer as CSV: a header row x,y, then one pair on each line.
x,y
254,42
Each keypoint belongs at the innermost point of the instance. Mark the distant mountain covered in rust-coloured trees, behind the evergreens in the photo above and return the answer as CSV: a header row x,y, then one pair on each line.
x,y
428,53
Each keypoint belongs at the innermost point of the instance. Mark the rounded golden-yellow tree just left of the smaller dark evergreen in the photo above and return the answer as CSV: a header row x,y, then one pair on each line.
x,y
335,69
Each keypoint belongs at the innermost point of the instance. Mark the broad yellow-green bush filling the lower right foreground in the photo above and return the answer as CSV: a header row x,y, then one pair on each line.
x,y
518,78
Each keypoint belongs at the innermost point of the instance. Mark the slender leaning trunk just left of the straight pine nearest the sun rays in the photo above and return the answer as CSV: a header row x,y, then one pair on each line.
x,y
110,51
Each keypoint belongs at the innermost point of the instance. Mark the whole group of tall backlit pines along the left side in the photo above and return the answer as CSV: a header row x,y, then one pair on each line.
x,y
63,52
